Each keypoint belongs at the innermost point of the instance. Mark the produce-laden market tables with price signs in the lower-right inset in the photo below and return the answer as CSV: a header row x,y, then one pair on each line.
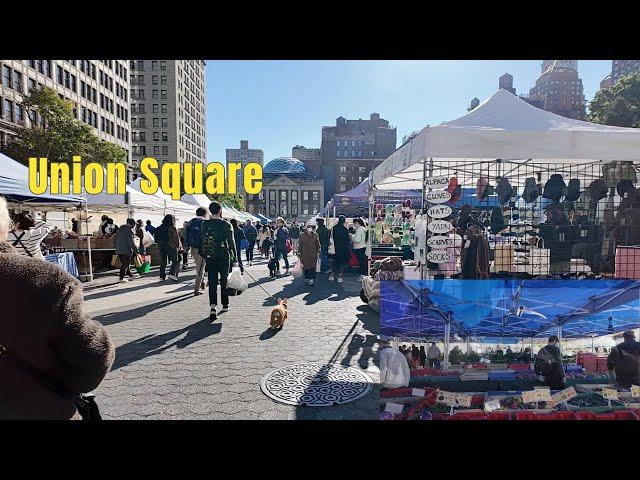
x,y
507,392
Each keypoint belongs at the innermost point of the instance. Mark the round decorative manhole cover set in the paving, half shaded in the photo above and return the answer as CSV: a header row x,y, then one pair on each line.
x,y
316,385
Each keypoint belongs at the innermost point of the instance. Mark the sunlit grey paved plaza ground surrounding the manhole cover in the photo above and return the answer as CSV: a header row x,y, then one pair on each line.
x,y
172,362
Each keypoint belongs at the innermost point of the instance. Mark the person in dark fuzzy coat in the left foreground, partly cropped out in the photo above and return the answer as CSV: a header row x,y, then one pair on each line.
x,y
50,349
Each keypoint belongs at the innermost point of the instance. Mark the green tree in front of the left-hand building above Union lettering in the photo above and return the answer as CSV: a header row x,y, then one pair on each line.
x,y
62,136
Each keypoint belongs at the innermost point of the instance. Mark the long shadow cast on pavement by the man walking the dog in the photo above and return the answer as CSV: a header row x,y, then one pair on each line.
x,y
154,344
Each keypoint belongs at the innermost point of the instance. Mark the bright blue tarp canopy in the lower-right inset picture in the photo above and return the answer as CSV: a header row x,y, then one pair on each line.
x,y
510,307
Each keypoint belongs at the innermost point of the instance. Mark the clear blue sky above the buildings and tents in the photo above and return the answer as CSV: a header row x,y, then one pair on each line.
x,y
278,104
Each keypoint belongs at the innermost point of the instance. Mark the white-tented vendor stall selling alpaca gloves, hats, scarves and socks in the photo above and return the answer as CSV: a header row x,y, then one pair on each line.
x,y
509,189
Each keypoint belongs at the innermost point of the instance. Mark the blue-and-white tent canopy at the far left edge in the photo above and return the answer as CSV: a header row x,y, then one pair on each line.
x,y
14,186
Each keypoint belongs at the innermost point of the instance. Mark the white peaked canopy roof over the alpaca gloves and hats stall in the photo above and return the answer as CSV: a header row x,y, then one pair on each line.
x,y
507,128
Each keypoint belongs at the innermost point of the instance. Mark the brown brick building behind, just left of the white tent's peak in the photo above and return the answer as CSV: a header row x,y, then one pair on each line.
x,y
351,149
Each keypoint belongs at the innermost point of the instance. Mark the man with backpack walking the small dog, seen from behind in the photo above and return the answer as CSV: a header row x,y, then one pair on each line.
x,y
219,251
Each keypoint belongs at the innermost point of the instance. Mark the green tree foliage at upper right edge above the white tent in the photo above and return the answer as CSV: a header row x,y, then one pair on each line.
x,y
619,104
